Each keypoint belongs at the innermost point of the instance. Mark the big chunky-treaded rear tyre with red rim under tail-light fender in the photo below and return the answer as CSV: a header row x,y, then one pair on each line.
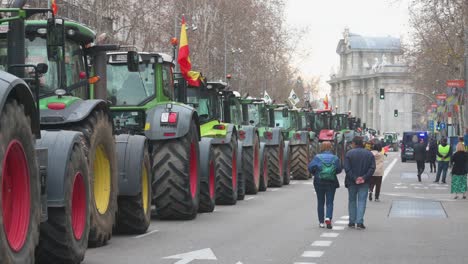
x,y
176,170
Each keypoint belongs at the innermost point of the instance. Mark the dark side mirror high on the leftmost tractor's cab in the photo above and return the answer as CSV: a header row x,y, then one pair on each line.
x,y
55,38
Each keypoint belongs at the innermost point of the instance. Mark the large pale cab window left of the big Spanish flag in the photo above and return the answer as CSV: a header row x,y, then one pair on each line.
x,y
130,88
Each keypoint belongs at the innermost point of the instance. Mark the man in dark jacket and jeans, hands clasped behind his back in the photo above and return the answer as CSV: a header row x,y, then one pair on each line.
x,y
359,167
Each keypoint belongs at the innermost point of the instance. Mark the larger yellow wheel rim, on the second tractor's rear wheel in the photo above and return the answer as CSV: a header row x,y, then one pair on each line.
x,y
102,180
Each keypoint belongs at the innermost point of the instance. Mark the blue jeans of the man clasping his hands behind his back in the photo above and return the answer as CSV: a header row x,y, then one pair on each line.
x,y
357,199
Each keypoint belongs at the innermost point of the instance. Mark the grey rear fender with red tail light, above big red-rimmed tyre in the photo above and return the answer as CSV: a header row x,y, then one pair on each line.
x,y
155,131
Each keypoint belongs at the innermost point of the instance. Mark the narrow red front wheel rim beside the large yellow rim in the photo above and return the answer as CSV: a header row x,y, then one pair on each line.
x,y
78,206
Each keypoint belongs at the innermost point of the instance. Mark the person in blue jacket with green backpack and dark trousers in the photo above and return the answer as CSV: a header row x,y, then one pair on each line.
x,y
325,166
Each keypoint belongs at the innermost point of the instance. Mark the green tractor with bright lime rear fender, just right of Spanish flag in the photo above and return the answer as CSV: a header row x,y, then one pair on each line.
x,y
219,146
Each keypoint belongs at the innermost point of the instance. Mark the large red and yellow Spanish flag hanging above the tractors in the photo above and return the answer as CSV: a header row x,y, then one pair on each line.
x,y
192,77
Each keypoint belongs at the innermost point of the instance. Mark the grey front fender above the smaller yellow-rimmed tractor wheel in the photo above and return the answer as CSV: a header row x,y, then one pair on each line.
x,y
130,159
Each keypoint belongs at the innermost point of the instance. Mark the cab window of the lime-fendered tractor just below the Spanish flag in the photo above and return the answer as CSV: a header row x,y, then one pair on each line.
x,y
205,101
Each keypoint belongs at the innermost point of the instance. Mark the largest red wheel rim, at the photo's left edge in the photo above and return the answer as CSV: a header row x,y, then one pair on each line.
x,y
16,199
